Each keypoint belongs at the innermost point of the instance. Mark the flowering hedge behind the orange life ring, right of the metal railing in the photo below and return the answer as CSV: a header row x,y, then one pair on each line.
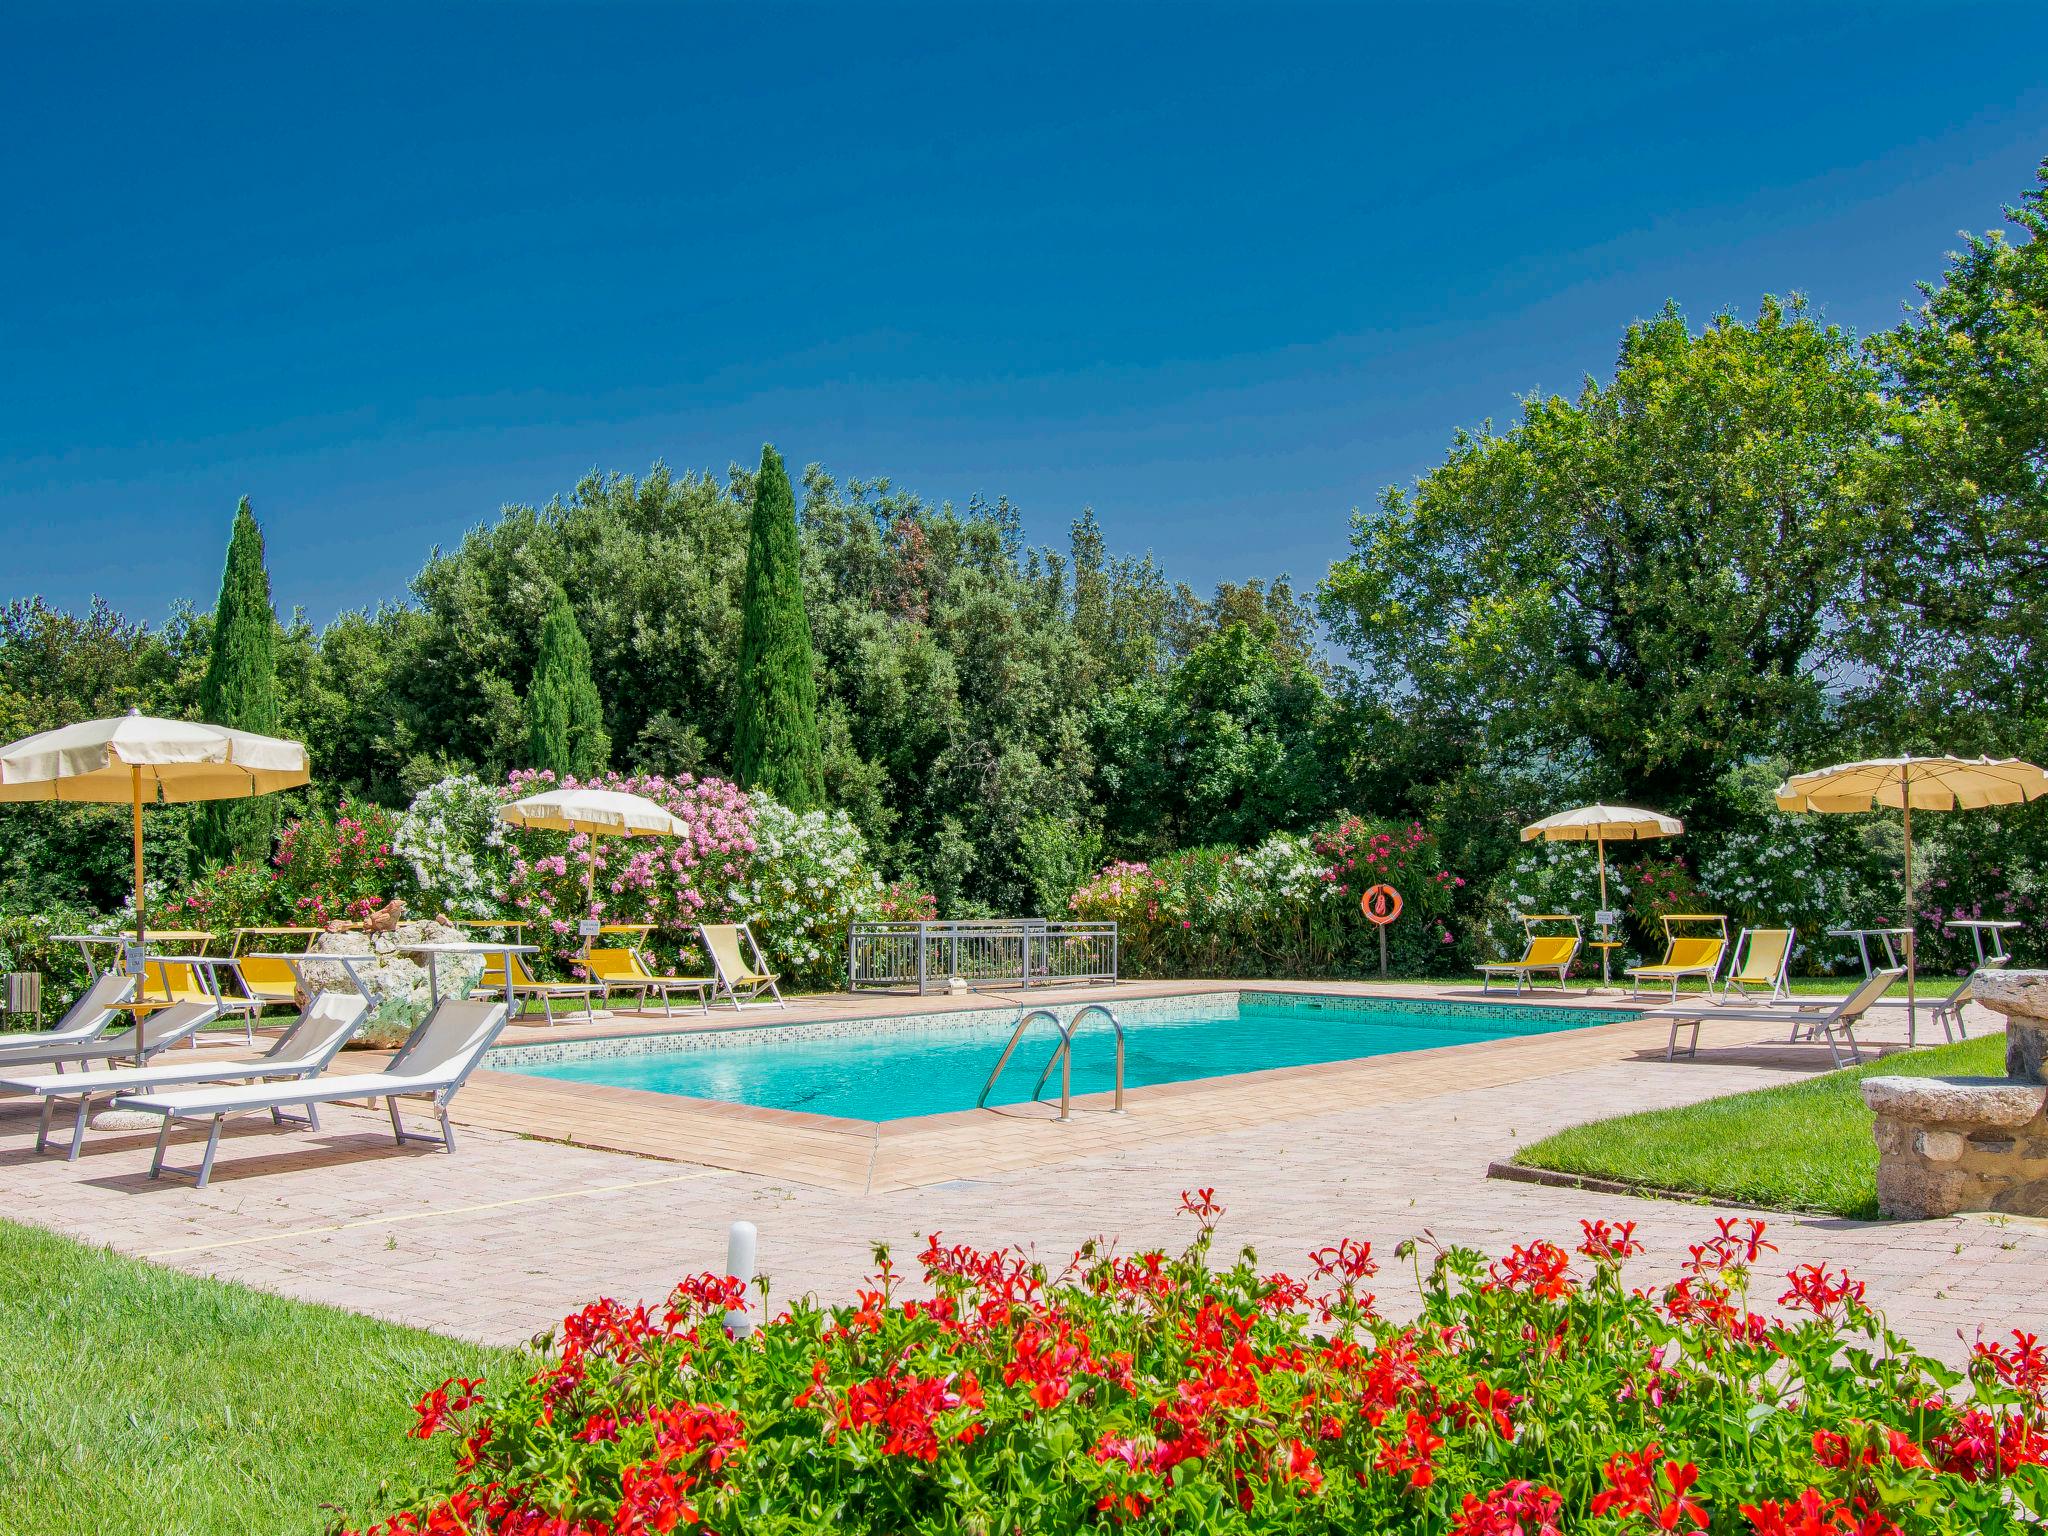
x,y
1283,908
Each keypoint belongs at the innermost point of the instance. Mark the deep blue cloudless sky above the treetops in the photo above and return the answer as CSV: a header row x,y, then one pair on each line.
x,y
1220,273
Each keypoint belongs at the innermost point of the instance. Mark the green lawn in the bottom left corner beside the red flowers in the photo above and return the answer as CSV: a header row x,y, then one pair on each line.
x,y
136,1398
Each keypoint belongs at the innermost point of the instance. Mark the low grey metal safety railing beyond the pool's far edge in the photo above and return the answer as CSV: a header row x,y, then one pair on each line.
x,y
980,953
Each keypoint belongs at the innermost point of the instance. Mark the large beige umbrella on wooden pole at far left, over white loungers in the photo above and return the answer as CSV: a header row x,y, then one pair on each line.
x,y
138,761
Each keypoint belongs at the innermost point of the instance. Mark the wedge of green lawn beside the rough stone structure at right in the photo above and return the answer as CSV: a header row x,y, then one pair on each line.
x,y
1795,1148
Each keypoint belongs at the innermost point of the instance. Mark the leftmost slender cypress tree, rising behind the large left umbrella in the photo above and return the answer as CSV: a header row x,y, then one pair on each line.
x,y
241,689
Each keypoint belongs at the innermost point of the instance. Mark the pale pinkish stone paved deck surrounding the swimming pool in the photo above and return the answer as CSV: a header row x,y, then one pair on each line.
x,y
564,1191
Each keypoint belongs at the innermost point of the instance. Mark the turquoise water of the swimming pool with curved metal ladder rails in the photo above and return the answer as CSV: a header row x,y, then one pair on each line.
x,y
900,1068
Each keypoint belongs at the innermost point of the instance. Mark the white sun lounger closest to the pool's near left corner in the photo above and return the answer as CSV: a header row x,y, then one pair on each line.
x,y
433,1064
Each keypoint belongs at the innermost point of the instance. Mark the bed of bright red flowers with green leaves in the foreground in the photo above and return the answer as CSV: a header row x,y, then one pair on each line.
x,y
1148,1394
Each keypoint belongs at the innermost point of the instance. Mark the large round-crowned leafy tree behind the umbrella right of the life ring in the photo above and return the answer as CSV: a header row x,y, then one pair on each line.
x,y
1656,572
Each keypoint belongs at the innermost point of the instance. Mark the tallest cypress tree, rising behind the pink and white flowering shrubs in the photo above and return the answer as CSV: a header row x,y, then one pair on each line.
x,y
775,730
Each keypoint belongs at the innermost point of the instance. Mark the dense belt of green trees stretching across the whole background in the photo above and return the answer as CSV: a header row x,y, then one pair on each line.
x,y
1760,546
